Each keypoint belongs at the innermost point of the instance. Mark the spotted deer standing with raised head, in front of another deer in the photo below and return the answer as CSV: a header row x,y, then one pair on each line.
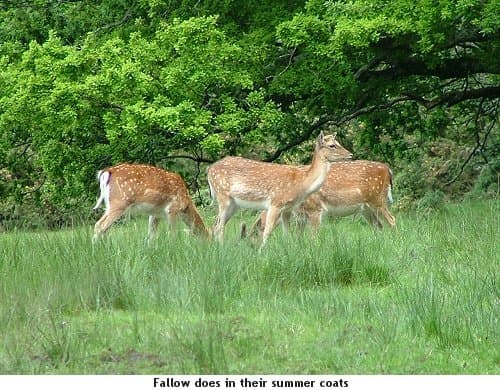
x,y
240,182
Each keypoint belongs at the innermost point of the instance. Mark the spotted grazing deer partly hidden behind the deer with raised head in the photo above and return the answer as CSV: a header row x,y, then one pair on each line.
x,y
351,187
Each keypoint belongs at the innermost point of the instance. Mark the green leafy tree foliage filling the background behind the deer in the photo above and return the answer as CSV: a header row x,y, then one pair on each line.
x,y
85,84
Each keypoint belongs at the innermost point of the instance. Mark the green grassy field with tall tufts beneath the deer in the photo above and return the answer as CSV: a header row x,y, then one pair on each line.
x,y
423,298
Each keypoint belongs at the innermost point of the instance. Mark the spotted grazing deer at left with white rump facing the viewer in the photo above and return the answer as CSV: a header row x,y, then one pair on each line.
x,y
148,190
